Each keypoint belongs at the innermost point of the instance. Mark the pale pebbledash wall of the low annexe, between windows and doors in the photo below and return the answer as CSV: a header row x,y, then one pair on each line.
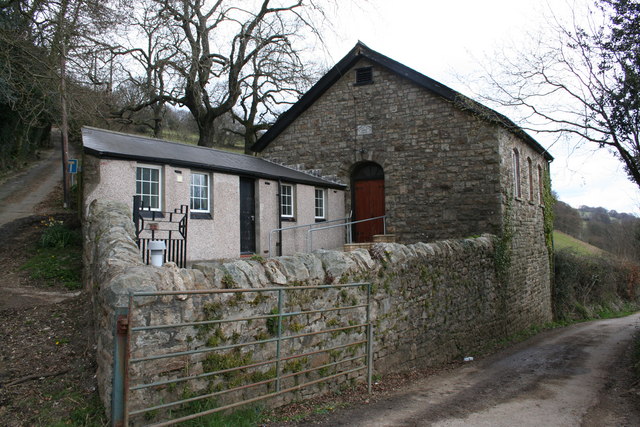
x,y
219,236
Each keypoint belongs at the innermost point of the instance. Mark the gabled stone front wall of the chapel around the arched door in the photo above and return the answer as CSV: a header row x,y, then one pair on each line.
x,y
435,156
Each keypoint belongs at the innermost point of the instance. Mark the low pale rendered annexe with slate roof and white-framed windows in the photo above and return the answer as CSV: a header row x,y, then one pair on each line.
x,y
235,201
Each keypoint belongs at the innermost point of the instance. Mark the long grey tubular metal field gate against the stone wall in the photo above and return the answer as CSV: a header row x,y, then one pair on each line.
x,y
181,355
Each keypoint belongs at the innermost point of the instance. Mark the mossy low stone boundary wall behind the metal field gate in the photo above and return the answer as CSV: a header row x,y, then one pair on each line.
x,y
432,303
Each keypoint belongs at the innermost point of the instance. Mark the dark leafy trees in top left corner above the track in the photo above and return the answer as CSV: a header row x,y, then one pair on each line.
x,y
34,36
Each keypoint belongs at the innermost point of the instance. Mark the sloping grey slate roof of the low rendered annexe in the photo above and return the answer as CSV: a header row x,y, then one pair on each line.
x,y
108,144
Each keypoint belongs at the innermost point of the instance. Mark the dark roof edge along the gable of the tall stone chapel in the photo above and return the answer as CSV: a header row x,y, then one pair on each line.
x,y
362,51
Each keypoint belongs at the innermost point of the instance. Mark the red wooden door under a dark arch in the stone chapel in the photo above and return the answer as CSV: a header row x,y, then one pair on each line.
x,y
367,183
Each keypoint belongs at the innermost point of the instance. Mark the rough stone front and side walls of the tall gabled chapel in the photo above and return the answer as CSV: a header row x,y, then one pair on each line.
x,y
448,173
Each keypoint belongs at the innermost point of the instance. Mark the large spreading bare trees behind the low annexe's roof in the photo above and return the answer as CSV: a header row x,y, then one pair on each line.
x,y
220,59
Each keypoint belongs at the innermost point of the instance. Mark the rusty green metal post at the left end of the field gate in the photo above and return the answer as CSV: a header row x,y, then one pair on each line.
x,y
118,392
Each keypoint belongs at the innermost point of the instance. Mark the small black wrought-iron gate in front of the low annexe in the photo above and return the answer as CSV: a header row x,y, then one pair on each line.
x,y
169,227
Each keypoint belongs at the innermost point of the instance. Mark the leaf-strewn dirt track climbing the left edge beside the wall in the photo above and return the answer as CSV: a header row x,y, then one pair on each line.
x,y
47,365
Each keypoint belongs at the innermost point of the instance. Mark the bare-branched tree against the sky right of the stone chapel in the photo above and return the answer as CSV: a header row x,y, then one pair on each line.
x,y
577,80
